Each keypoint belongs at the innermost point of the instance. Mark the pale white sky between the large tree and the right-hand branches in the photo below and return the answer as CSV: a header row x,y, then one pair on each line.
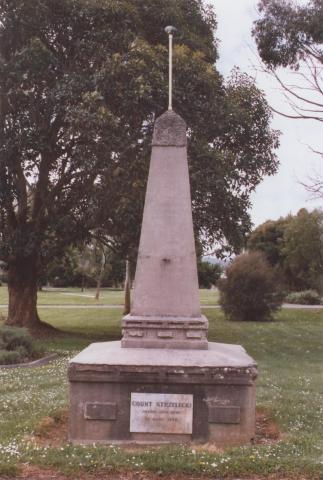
x,y
282,193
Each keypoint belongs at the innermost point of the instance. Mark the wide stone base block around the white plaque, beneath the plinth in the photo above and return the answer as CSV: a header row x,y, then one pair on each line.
x,y
220,381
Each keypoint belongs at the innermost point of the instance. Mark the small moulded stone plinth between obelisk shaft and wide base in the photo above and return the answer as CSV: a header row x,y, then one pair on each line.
x,y
164,332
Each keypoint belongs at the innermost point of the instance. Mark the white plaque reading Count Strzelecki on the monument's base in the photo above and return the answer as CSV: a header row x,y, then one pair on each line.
x,y
161,413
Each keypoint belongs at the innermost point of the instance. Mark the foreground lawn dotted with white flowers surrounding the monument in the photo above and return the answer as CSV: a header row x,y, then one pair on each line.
x,y
289,352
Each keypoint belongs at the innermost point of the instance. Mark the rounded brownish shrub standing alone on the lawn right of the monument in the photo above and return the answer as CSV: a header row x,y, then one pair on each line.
x,y
250,289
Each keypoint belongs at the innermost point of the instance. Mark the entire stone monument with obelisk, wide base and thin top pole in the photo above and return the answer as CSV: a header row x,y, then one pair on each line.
x,y
164,382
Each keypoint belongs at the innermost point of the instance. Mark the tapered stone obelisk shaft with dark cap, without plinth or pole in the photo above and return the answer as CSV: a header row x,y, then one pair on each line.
x,y
166,275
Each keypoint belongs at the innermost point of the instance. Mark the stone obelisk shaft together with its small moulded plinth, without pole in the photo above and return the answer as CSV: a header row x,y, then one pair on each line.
x,y
165,310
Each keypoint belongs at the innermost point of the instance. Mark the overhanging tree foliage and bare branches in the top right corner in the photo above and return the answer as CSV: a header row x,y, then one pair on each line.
x,y
289,35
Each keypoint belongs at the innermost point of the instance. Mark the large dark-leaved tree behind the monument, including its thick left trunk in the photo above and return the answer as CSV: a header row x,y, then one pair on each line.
x,y
81,82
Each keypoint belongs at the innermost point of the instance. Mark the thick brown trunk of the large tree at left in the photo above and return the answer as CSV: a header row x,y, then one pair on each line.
x,y
22,286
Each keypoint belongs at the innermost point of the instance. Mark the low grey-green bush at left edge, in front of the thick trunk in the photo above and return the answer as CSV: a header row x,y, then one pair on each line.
x,y
16,345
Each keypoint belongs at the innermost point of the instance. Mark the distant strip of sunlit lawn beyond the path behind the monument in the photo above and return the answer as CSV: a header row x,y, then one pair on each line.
x,y
108,296
